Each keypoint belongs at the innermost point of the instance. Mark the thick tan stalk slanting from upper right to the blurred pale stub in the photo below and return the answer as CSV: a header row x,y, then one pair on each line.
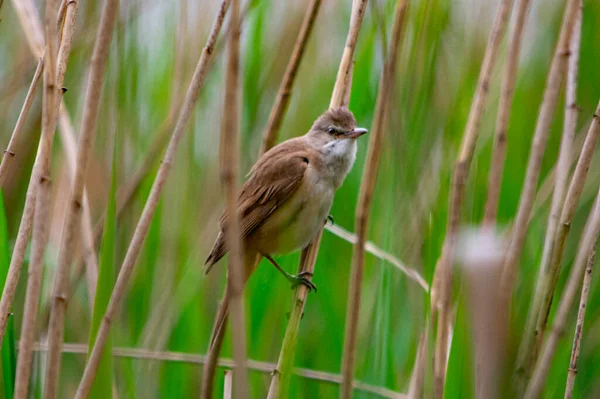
x,y
553,85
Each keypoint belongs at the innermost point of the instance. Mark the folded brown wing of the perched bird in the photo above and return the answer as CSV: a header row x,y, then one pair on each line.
x,y
273,179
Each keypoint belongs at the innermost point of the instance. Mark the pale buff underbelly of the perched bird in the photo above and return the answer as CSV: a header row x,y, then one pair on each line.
x,y
293,226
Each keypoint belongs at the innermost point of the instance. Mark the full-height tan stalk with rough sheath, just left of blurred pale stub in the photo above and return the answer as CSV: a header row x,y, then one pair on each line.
x,y
443,276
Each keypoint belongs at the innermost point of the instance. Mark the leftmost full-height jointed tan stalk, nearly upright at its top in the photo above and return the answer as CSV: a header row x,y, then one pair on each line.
x,y
42,185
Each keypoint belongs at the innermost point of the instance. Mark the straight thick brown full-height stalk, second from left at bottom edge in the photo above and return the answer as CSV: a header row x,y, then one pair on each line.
x,y
73,217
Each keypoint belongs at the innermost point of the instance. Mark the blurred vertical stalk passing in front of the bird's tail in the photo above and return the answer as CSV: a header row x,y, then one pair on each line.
x,y
229,160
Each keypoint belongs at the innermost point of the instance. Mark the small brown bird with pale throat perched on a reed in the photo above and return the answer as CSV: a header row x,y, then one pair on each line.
x,y
288,194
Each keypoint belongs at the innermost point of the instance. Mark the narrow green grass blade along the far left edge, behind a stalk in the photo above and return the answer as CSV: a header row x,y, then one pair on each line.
x,y
8,346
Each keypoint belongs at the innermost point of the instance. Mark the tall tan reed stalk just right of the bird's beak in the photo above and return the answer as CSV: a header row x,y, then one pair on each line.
x,y
386,86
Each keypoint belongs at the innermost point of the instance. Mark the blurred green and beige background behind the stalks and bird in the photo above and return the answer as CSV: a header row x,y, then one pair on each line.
x,y
170,304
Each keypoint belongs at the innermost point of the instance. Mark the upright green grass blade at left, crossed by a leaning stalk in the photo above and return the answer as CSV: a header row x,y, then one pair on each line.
x,y
102,387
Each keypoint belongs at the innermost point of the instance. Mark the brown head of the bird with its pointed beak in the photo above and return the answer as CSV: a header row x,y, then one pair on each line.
x,y
336,124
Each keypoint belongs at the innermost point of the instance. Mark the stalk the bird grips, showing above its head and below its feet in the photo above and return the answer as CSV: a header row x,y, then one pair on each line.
x,y
281,377
